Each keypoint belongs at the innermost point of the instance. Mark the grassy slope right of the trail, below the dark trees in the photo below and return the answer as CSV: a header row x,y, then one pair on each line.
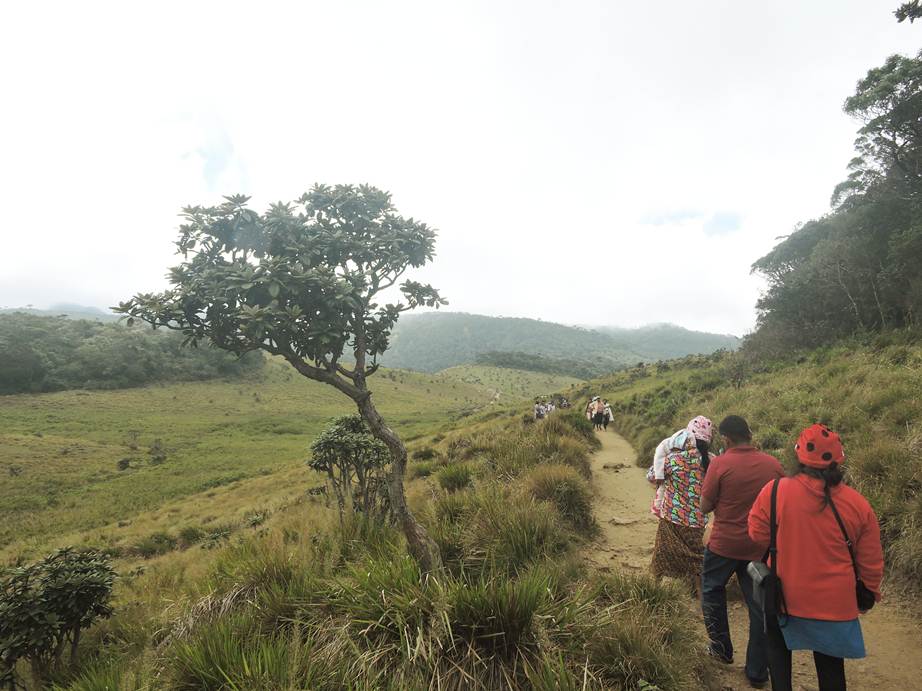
x,y
869,391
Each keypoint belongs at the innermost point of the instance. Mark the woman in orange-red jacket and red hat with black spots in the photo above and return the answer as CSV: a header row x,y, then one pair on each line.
x,y
818,578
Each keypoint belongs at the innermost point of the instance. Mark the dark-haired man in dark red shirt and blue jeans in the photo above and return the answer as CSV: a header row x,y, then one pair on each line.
x,y
733,481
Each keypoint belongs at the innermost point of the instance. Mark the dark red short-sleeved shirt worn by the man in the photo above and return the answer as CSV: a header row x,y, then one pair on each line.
x,y
733,481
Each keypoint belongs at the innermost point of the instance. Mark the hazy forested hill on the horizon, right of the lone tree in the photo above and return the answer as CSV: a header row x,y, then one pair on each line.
x,y
434,341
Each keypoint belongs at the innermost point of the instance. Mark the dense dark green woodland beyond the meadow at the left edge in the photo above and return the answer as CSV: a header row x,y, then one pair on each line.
x,y
43,353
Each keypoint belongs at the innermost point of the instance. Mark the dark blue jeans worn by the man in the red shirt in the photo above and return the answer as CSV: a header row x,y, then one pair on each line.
x,y
715,575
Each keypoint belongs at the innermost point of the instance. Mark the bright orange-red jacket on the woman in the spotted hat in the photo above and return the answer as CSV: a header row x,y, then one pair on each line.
x,y
816,572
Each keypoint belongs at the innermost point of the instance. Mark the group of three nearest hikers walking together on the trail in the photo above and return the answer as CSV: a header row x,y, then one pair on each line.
x,y
805,549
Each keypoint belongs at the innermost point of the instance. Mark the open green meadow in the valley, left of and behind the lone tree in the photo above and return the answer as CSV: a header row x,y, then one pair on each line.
x,y
108,467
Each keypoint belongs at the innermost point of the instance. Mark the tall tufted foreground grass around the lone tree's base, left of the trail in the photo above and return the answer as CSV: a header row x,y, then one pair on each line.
x,y
300,602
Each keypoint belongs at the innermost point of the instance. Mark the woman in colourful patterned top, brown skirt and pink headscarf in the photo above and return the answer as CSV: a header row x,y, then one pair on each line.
x,y
678,550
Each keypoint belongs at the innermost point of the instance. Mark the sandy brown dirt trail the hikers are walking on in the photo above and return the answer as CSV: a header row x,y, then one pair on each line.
x,y
623,499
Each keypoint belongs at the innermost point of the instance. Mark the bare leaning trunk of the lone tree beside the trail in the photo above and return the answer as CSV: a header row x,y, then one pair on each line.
x,y
422,547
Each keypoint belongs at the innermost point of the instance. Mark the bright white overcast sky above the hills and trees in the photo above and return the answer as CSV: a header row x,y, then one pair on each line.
x,y
593,162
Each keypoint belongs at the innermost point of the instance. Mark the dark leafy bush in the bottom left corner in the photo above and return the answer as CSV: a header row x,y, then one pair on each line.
x,y
47,605
